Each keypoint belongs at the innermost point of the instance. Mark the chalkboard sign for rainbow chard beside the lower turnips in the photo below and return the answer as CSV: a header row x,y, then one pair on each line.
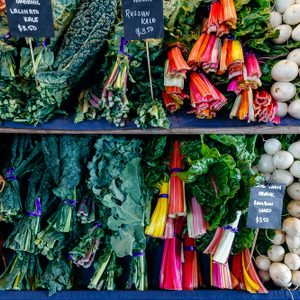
x,y
265,209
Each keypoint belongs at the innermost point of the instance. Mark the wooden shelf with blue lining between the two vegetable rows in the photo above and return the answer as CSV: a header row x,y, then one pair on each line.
x,y
181,124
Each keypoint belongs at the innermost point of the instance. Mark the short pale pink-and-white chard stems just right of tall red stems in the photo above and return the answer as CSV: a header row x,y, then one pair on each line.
x,y
196,224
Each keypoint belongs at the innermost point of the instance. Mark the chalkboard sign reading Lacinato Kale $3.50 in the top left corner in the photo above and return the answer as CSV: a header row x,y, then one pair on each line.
x,y
30,18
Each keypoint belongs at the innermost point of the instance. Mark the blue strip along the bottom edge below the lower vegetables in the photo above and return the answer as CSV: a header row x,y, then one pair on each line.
x,y
148,295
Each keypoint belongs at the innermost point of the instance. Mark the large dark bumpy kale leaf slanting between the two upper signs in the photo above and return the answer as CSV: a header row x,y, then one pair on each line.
x,y
85,37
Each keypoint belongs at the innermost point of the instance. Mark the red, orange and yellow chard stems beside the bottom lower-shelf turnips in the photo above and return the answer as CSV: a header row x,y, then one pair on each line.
x,y
245,273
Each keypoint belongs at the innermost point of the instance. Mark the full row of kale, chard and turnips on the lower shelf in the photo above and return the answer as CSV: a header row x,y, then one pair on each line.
x,y
104,204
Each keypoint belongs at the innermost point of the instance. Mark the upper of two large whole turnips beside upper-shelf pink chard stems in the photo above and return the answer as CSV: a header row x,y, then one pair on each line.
x,y
285,71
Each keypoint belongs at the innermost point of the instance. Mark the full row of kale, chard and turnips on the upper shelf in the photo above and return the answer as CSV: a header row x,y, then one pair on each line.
x,y
216,55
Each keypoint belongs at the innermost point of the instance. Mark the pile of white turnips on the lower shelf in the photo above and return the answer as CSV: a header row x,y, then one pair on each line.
x,y
282,263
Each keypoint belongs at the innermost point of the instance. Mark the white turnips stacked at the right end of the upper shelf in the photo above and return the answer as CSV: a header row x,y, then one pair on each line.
x,y
286,19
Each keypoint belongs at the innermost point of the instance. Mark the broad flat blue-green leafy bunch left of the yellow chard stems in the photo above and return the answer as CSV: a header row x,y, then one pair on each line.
x,y
117,181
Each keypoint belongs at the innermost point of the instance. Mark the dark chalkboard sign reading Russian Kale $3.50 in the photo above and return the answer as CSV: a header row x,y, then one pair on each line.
x,y
143,19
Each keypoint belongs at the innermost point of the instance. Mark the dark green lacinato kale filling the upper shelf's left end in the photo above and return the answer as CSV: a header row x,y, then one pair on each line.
x,y
34,92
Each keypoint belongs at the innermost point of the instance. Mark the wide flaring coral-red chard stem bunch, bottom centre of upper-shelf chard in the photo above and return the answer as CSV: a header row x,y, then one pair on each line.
x,y
206,100
